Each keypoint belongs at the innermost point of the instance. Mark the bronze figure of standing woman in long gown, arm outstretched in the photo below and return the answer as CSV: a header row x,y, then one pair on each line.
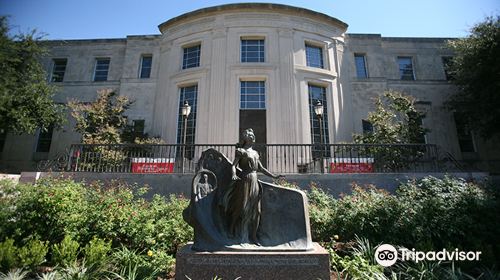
x,y
244,210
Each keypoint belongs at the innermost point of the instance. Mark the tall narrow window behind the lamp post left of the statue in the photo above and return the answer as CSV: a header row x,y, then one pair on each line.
x,y
189,94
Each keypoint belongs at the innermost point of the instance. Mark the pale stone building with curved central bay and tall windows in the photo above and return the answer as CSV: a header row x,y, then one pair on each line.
x,y
251,65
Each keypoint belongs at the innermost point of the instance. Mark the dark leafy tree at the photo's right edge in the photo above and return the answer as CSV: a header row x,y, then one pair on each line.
x,y
475,69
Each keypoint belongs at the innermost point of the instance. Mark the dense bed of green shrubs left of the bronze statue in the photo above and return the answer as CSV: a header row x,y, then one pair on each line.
x,y
101,218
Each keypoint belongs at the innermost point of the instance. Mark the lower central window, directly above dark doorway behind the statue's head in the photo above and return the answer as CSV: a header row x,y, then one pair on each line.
x,y
252,95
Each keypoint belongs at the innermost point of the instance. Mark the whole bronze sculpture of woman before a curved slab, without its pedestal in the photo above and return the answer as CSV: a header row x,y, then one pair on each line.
x,y
239,212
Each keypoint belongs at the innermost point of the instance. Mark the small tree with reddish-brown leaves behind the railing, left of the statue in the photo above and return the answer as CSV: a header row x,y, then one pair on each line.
x,y
104,124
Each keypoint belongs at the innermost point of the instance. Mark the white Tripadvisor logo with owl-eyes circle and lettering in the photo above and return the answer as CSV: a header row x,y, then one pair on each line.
x,y
387,255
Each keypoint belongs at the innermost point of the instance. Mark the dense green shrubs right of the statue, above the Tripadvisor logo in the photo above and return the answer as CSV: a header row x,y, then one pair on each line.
x,y
427,214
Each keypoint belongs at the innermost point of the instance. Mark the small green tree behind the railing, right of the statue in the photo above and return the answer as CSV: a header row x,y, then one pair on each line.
x,y
395,121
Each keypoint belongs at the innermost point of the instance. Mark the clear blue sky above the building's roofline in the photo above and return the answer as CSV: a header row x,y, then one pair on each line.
x,y
83,19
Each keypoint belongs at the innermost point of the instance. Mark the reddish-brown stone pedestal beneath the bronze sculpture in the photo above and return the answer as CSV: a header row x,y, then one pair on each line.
x,y
247,265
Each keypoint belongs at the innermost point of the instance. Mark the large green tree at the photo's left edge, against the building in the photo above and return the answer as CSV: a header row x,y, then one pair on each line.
x,y
25,96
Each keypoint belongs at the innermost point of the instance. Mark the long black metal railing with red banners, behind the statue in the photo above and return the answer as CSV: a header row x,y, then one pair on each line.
x,y
277,158
